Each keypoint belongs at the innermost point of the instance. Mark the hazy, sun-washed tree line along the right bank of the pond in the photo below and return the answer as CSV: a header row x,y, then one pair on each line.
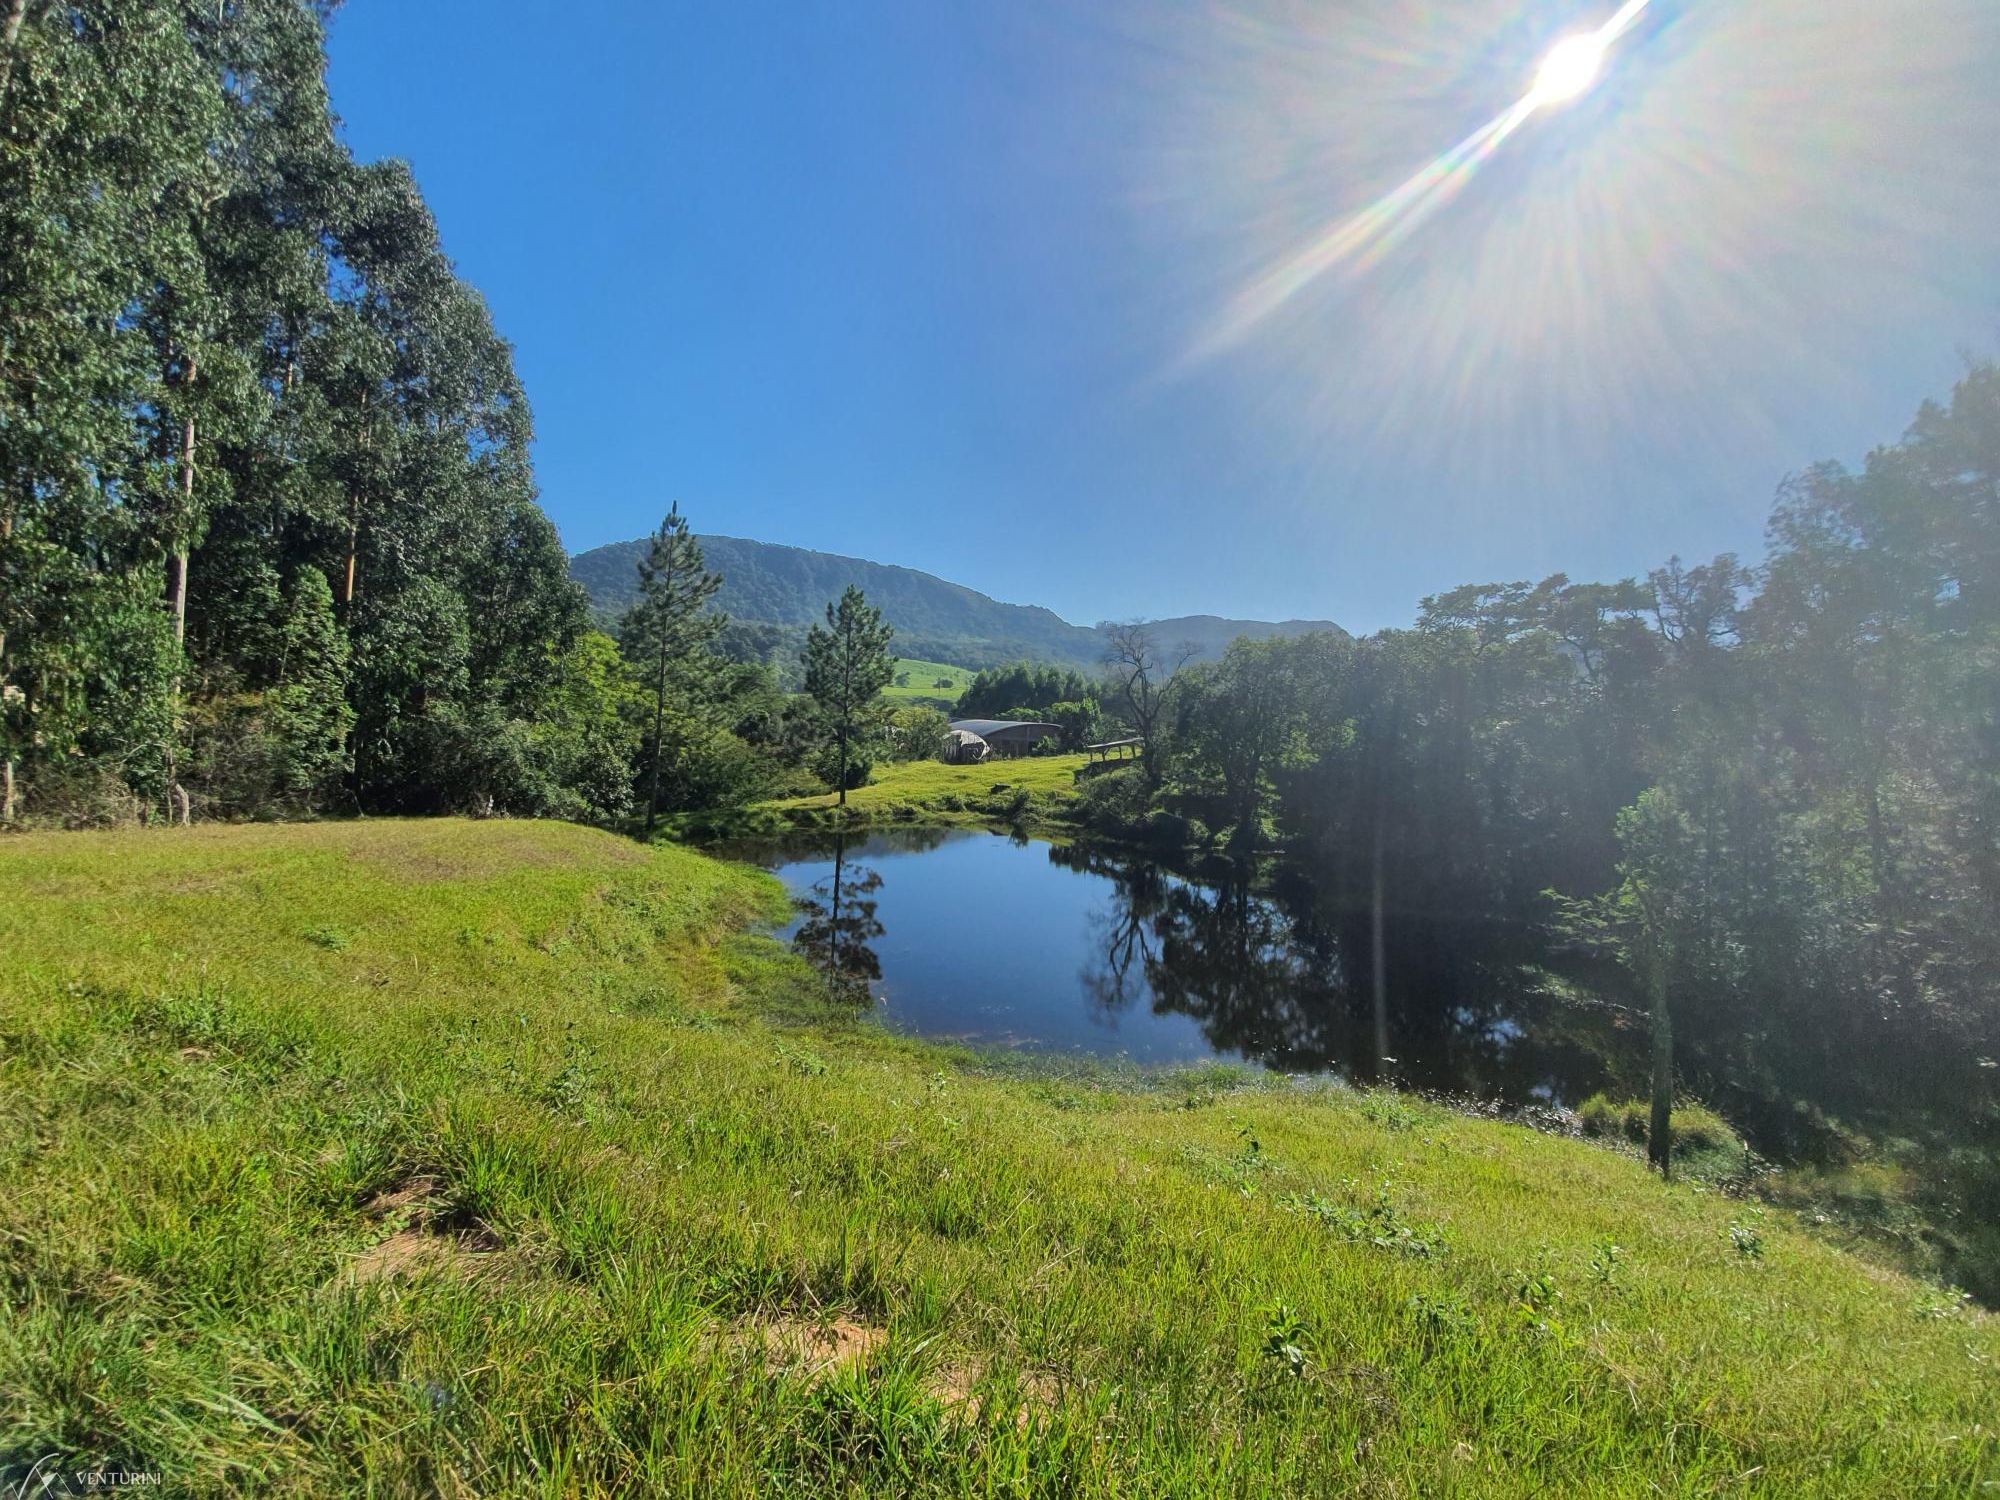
x,y
1769,791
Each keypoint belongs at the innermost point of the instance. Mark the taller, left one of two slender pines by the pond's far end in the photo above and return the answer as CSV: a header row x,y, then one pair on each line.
x,y
669,637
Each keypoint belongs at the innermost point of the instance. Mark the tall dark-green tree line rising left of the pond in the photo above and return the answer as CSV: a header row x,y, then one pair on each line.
x,y
269,529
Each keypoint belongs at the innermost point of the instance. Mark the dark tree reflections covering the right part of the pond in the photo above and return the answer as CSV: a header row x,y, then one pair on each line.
x,y
1269,973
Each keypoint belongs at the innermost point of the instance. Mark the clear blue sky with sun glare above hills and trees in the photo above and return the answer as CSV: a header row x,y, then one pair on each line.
x,y
929,283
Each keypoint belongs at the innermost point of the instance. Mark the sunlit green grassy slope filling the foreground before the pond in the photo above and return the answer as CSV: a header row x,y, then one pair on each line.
x,y
495,1159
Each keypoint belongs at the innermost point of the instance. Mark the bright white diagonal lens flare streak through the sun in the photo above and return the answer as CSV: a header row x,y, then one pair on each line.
x,y
1361,241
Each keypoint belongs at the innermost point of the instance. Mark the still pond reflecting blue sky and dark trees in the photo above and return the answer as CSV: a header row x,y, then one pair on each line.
x,y
1001,941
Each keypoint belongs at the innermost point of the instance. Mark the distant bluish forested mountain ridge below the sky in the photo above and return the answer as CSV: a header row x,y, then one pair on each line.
x,y
773,593
